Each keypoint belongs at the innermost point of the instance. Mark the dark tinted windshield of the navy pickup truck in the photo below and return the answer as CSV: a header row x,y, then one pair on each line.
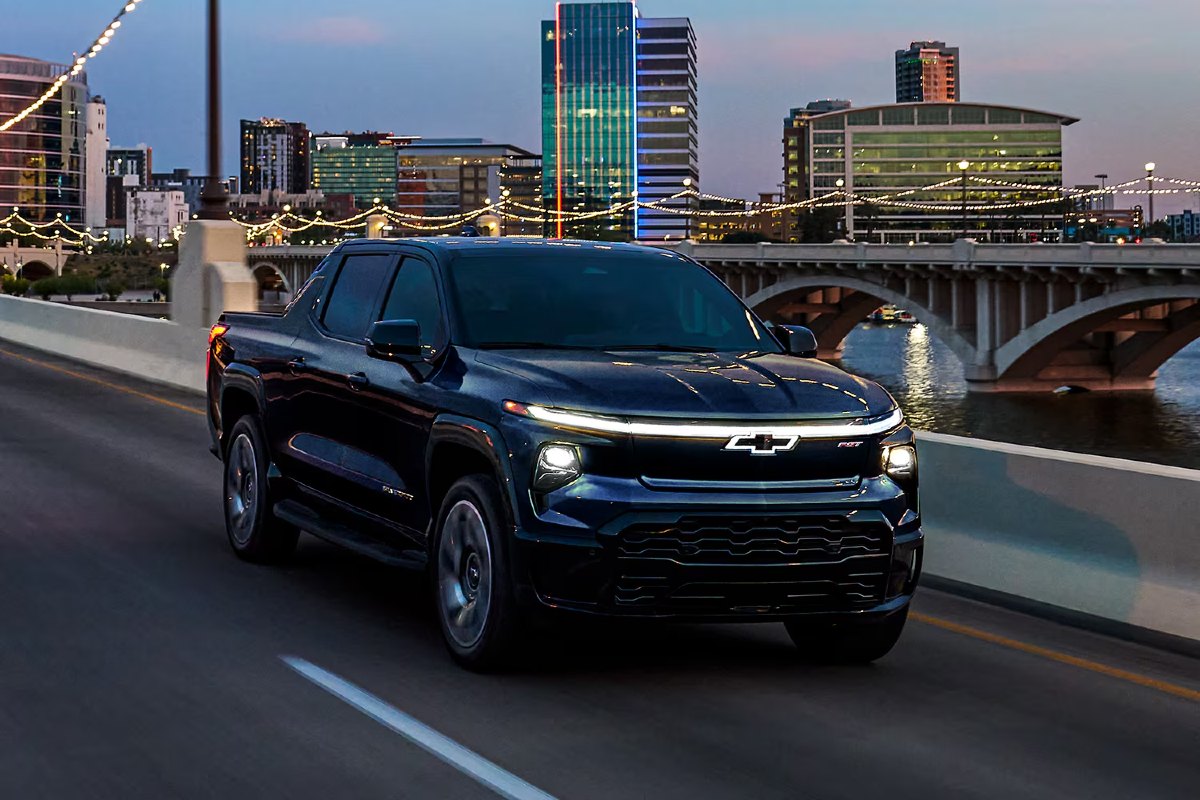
x,y
599,300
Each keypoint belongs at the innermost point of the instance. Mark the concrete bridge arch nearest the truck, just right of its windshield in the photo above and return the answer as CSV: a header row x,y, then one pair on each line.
x,y
833,322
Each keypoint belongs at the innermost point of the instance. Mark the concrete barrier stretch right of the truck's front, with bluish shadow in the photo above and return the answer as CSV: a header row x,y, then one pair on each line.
x,y
1105,537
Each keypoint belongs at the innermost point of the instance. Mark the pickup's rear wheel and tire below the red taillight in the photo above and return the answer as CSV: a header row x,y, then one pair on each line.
x,y
255,533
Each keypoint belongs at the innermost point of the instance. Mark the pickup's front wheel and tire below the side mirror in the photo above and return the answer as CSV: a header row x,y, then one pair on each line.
x,y
472,582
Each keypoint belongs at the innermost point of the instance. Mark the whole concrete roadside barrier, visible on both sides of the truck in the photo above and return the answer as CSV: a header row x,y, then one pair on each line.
x,y
1114,539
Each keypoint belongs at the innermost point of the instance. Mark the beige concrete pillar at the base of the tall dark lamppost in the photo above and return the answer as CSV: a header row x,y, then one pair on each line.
x,y
212,276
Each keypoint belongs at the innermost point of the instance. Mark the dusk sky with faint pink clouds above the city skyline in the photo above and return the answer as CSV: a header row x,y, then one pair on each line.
x,y
461,68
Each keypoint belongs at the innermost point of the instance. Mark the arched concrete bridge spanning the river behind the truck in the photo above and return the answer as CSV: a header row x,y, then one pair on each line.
x,y
1019,317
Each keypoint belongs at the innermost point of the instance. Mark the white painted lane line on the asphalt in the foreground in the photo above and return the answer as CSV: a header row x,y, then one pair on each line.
x,y
499,780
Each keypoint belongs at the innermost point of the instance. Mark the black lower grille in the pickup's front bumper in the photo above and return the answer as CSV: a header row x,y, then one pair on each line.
x,y
723,566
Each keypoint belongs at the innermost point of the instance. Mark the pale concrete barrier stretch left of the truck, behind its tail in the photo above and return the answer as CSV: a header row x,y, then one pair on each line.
x,y
140,346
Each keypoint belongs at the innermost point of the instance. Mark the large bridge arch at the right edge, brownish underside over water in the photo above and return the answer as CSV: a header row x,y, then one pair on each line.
x,y
1117,340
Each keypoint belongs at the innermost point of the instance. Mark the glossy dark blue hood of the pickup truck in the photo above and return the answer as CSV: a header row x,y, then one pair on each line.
x,y
693,386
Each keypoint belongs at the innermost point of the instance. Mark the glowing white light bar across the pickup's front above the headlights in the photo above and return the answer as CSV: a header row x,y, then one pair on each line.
x,y
699,431
